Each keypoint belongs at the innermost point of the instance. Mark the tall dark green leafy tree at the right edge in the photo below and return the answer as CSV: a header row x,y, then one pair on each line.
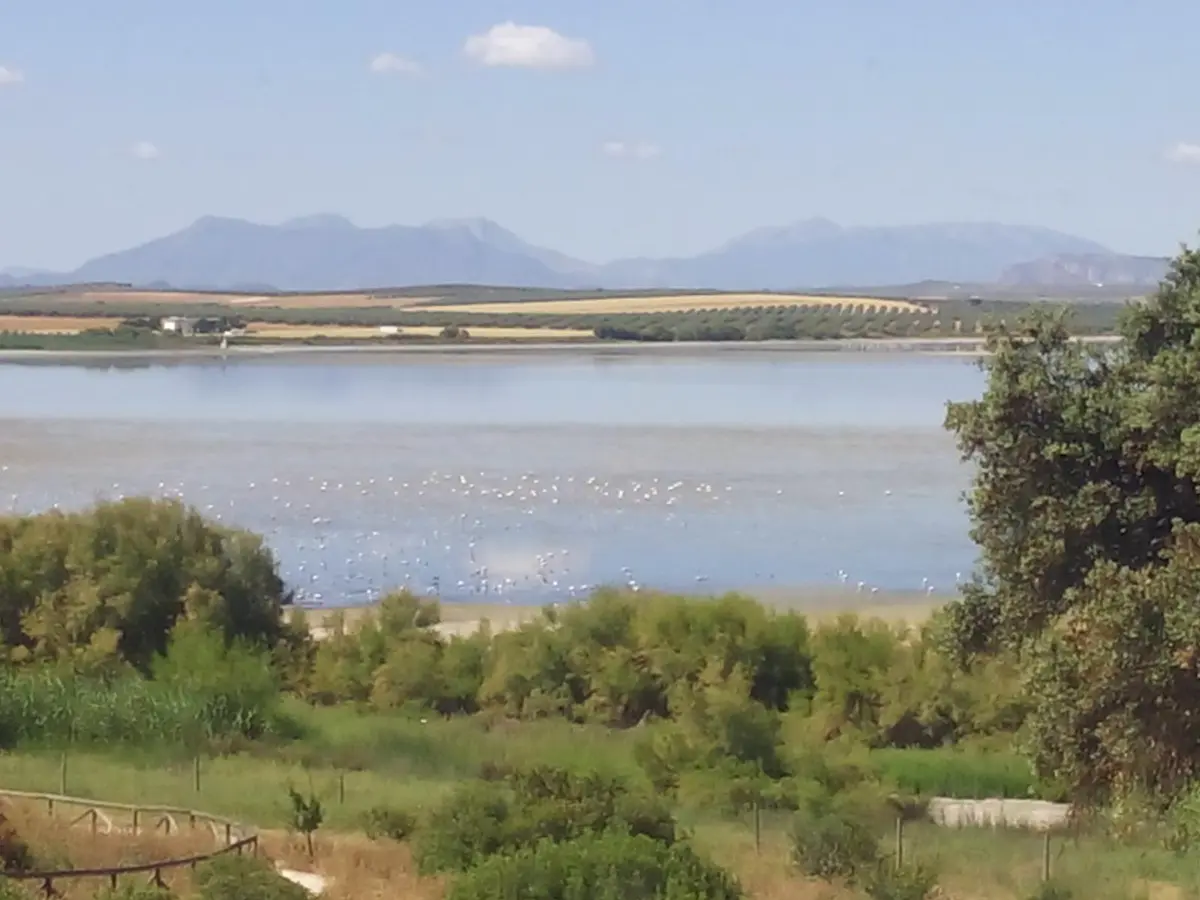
x,y
1088,520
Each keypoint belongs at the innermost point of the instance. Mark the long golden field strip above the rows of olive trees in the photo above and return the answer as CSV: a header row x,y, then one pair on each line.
x,y
682,303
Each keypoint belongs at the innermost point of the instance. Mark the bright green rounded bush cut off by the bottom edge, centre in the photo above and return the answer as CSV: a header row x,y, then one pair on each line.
x,y
598,867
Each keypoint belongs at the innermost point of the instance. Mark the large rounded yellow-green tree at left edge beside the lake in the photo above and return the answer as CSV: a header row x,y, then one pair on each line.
x,y
110,584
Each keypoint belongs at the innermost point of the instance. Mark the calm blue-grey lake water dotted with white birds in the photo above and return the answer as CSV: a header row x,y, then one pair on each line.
x,y
529,477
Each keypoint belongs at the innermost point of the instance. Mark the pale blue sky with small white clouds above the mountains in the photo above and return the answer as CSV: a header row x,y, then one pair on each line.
x,y
599,128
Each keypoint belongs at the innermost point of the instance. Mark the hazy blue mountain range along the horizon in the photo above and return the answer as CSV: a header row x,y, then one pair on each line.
x,y
328,253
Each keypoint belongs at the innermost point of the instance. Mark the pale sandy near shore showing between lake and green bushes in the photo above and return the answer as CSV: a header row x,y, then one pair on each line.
x,y
818,604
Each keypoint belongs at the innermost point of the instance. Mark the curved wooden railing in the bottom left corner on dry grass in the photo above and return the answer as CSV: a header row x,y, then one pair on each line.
x,y
232,837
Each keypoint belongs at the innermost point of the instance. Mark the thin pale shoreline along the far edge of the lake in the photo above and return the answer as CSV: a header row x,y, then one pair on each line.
x,y
964,347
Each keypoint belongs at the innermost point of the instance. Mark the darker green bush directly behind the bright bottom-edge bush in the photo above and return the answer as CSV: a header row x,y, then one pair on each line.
x,y
494,818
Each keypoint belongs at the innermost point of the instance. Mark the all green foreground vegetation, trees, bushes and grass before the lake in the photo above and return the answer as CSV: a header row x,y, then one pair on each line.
x,y
647,746
